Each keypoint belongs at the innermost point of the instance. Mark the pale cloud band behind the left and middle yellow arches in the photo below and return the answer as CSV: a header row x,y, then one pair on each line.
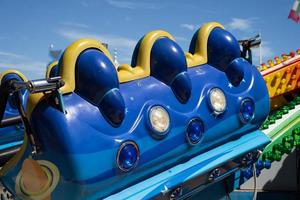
x,y
123,45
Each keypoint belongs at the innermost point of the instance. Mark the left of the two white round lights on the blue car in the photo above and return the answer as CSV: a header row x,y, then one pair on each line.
x,y
159,120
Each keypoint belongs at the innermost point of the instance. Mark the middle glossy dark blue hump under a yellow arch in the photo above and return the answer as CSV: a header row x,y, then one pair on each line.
x,y
168,64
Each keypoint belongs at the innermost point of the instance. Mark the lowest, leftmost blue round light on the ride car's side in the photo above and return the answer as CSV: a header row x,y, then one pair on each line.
x,y
128,156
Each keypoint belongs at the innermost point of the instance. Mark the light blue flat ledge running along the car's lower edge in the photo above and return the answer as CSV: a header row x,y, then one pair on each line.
x,y
201,164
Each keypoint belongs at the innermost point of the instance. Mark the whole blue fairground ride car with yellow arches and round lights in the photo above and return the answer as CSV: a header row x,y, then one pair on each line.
x,y
169,113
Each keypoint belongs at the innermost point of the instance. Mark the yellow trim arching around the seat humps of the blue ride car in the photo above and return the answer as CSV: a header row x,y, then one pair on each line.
x,y
125,72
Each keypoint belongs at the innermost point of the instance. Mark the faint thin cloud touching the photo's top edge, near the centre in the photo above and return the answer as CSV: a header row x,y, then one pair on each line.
x,y
130,4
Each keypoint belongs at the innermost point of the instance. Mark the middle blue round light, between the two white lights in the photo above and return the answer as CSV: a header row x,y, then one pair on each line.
x,y
194,131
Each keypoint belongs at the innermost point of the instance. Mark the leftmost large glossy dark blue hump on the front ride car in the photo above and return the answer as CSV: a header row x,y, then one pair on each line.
x,y
97,82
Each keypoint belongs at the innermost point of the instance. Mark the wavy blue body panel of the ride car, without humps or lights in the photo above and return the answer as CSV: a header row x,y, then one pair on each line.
x,y
61,133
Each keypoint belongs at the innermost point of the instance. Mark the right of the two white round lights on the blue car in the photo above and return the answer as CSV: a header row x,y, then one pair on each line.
x,y
217,100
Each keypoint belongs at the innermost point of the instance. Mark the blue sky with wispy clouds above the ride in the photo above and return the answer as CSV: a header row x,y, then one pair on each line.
x,y
28,27
